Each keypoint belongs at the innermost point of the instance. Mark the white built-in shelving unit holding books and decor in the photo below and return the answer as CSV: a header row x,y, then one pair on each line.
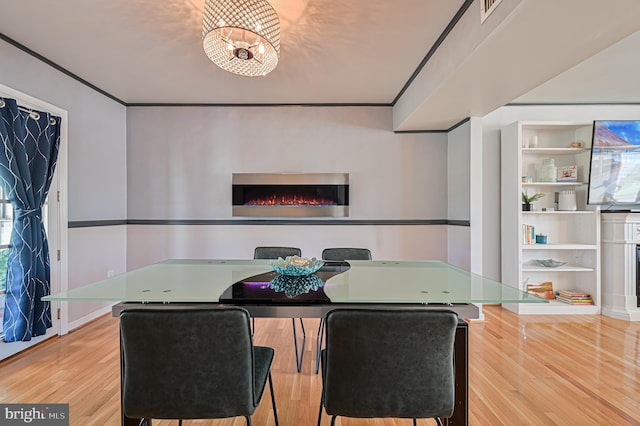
x,y
573,236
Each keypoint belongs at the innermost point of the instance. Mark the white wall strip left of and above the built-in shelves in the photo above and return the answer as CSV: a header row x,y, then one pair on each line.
x,y
492,123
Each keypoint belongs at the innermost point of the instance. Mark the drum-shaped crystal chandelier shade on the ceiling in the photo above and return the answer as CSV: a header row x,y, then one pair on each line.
x,y
242,36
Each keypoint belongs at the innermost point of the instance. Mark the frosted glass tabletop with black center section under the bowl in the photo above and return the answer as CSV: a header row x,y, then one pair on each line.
x,y
354,281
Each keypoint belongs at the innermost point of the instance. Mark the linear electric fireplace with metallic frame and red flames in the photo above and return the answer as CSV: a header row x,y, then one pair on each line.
x,y
291,194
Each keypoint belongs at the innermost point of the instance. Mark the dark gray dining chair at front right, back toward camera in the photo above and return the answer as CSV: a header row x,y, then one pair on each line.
x,y
389,363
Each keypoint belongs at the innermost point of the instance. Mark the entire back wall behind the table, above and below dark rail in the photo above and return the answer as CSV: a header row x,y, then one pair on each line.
x,y
180,161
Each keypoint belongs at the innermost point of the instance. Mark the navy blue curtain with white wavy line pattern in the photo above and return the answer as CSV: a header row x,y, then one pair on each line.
x,y
29,142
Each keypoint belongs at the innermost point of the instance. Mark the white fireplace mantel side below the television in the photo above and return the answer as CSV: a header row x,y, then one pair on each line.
x,y
620,240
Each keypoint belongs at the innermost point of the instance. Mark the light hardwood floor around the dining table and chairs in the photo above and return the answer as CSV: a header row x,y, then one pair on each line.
x,y
527,370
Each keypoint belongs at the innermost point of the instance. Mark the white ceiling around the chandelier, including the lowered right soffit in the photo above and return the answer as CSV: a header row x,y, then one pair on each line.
x,y
350,52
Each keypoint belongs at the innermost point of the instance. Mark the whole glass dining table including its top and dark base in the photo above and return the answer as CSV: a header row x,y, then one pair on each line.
x,y
254,285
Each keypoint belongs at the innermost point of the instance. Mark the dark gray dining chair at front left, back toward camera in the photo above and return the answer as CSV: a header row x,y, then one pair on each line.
x,y
192,363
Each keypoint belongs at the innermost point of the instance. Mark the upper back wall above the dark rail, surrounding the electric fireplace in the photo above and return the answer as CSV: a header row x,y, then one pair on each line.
x,y
181,158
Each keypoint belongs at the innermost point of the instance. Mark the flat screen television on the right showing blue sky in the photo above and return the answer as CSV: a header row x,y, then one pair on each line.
x,y
614,175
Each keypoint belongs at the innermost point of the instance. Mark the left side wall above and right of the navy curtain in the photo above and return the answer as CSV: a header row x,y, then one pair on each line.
x,y
96,159
